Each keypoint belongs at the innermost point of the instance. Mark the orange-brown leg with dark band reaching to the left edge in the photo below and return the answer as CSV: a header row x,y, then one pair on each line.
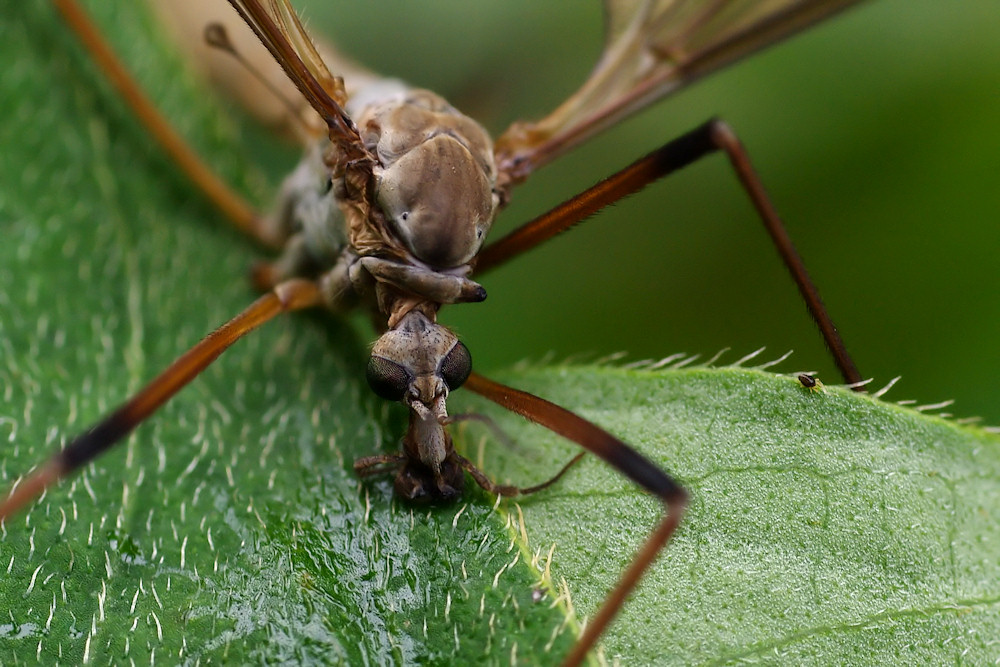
x,y
293,295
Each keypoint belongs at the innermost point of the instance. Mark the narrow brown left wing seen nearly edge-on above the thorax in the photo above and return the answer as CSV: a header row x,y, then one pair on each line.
x,y
279,29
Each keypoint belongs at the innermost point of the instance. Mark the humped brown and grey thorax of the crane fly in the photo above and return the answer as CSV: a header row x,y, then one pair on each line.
x,y
407,231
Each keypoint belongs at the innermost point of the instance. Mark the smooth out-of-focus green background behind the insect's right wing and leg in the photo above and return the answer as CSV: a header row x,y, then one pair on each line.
x,y
876,134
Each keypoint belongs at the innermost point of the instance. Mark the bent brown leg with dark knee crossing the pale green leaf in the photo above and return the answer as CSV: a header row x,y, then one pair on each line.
x,y
620,456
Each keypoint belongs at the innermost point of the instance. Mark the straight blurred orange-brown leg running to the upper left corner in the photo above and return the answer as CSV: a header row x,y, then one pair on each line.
x,y
232,205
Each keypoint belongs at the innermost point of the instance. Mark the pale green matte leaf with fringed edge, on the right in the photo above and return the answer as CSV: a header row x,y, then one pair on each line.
x,y
826,527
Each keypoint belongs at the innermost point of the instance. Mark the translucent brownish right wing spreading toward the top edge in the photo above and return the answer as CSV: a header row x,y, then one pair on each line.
x,y
652,48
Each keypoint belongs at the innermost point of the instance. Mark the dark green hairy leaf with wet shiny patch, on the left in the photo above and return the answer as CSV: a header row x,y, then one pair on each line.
x,y
230,527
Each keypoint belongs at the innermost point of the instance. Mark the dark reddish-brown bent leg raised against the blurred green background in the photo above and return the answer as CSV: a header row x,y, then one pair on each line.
x,y
679,153
